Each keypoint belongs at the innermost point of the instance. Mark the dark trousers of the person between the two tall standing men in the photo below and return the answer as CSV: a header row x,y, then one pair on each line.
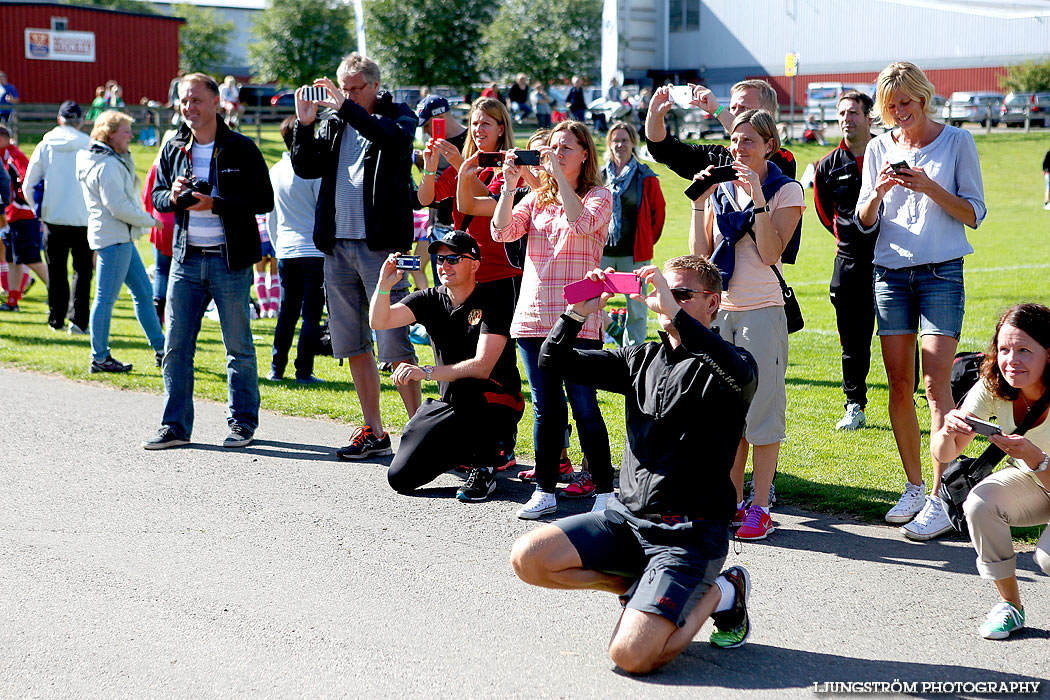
x,y
302,294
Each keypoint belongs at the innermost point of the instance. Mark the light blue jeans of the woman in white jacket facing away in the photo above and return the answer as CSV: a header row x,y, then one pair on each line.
x,y
120,265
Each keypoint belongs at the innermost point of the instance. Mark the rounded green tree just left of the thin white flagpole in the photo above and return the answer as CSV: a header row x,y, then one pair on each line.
x,y
298,41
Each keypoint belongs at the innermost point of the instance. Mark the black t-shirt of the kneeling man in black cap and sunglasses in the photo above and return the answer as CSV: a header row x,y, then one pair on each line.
x,y
456,331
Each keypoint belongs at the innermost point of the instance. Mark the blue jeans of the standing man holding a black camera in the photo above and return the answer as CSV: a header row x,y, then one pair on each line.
x,y
192,285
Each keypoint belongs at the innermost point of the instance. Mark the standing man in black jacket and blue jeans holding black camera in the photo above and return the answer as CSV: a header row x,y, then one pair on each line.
x,y
216,182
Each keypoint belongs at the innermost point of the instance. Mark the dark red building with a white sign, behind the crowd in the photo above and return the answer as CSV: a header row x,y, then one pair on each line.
x,y
54,52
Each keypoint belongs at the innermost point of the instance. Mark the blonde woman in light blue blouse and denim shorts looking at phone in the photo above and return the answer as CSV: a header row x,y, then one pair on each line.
x,y
921,187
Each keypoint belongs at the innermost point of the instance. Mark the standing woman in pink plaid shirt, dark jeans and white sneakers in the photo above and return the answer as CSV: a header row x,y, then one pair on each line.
x,y
568,222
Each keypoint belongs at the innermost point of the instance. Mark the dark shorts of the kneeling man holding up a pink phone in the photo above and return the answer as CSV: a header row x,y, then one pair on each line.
x,y
673,566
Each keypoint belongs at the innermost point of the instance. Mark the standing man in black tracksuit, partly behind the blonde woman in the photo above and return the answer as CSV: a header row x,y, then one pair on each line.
x,y
835,190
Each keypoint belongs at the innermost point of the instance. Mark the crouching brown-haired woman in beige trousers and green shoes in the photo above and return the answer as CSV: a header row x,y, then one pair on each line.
x,y
1015,375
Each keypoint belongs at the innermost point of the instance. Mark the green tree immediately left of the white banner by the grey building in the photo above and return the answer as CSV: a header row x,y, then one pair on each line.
x,y
544,39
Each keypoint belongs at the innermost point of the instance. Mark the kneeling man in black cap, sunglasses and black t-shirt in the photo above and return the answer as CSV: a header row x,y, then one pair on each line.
x,y
476,371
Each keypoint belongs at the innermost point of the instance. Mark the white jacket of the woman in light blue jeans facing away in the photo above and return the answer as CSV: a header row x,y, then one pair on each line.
x,y
115,213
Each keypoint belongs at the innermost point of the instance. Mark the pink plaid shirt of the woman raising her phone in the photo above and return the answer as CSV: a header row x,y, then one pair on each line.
x,y
559,252
